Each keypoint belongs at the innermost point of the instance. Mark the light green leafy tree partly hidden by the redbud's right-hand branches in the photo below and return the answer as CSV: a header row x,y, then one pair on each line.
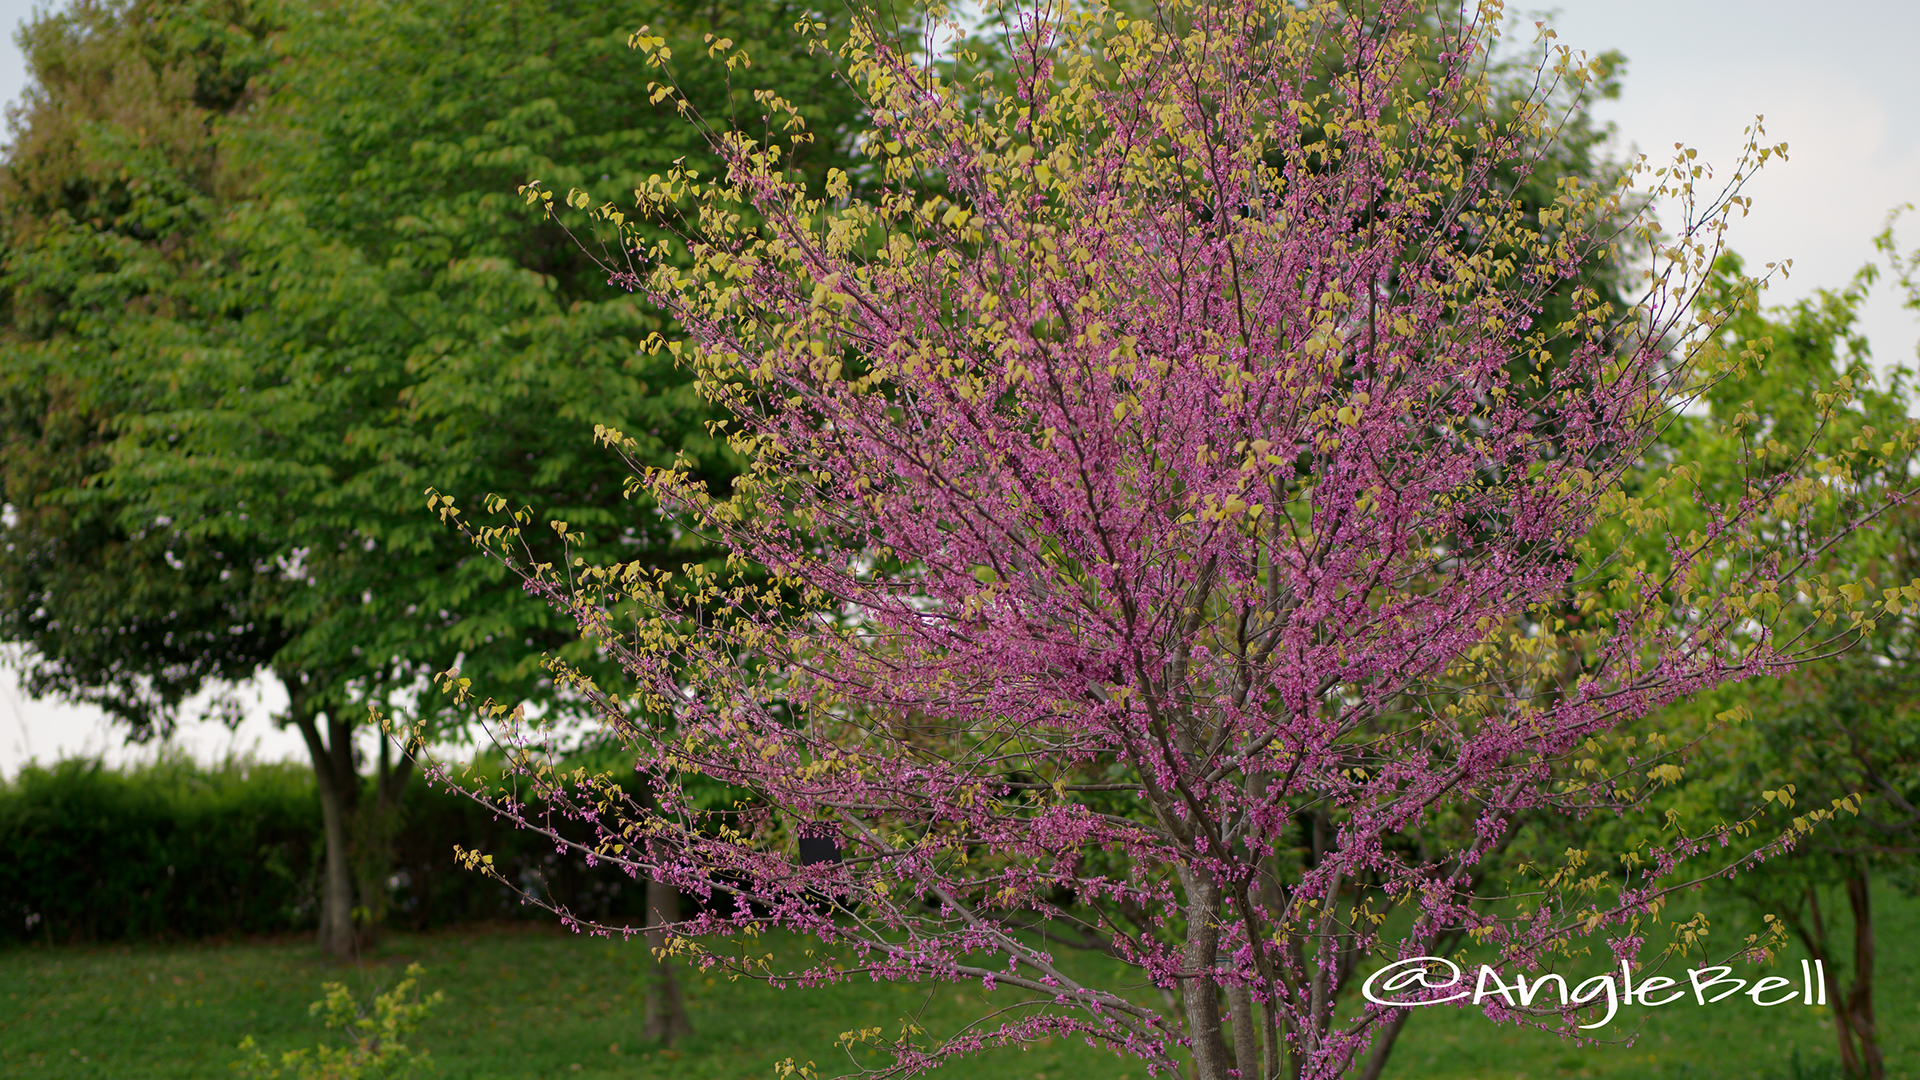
x,y
1825,762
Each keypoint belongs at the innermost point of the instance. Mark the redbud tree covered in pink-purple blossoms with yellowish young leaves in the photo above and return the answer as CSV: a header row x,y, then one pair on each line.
x,y
1164,460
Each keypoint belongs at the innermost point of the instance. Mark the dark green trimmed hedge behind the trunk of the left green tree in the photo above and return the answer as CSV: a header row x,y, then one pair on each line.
x,y
176,850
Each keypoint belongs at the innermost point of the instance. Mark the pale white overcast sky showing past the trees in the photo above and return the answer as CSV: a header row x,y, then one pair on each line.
x,y
1836,82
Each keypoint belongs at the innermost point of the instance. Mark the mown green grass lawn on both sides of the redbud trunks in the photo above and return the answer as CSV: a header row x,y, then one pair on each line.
x,y
542,1004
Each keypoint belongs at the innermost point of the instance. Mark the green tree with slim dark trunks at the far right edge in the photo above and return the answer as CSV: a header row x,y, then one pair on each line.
x,y
1842,733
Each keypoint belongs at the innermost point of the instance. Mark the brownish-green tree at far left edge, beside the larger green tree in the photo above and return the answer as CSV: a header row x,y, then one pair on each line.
x,y
110,189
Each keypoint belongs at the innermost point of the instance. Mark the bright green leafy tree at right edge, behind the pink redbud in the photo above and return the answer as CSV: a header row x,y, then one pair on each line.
x,y
1833,733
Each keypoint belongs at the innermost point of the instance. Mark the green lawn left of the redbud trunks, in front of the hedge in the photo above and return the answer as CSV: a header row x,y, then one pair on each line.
x,y
521,1004
